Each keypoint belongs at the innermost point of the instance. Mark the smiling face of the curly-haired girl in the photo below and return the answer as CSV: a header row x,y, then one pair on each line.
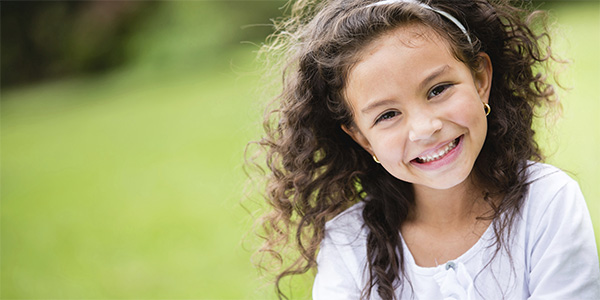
x,y
418,109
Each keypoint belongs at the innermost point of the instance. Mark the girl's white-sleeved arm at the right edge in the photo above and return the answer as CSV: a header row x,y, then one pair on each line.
x,y
563,256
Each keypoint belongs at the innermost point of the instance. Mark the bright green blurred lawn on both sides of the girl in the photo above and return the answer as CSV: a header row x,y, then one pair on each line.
x,y
128,185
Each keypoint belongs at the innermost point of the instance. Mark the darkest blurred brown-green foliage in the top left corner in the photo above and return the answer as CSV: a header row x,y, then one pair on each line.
x,y
42,39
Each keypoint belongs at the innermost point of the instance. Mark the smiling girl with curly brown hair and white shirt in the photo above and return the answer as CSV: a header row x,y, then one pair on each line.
x,y
402,160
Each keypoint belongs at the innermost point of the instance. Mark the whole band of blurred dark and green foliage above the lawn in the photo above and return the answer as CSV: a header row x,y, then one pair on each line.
x,y
46,39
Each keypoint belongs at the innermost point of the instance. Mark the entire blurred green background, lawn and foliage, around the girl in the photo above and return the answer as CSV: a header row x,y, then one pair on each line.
x,y
123,127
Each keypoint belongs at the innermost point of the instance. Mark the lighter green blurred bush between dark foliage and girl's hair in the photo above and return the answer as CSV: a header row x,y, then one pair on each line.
x,y
199,34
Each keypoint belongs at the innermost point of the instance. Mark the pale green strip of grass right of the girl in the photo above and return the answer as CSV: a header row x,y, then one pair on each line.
x,y
575,143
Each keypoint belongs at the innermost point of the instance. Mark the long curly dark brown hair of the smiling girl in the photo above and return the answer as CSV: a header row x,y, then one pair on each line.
x,y
315,170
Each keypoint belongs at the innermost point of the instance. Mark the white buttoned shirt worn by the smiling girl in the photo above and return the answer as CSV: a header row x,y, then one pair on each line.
x,y
553,250
